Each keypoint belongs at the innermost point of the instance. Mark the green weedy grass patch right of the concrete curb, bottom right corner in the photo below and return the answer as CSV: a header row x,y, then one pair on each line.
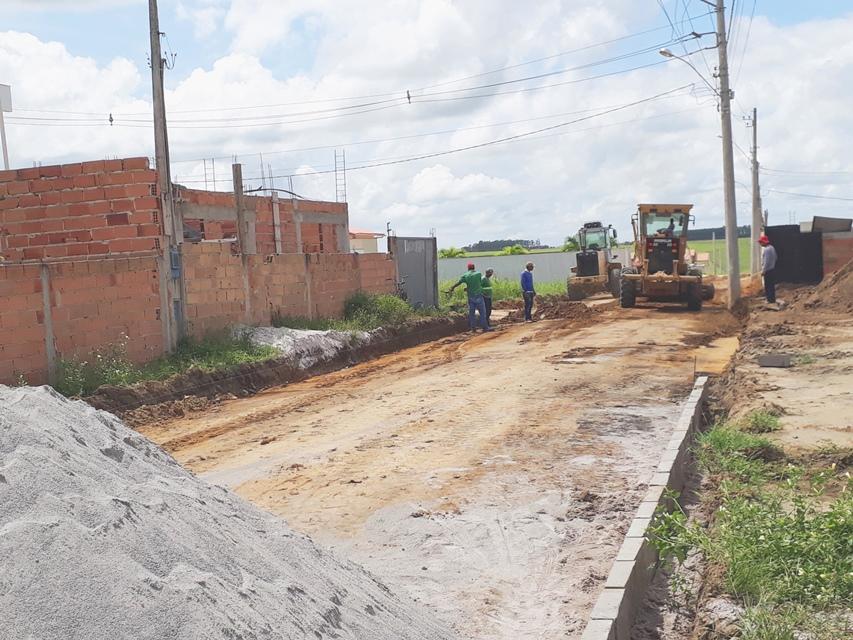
x,y
785,546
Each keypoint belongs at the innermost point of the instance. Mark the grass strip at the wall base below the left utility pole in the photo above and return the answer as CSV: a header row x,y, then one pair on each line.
x,y
111,366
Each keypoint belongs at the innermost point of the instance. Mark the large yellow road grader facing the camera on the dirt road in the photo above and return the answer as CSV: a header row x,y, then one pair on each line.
x,y
659,270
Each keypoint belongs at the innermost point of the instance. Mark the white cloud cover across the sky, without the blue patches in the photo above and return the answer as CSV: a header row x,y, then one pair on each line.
x,y
543,186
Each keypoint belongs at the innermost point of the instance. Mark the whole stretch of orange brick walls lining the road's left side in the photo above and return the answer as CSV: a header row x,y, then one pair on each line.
x,y
82,263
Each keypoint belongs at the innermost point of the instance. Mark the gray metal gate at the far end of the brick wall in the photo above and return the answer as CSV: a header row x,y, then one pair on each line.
x,y
417,268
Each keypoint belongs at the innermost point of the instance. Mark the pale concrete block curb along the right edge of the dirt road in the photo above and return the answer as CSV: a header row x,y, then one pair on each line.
x,y
636,563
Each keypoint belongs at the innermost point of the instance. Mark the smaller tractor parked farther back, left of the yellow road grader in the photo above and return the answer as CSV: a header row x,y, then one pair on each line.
x,y
596,270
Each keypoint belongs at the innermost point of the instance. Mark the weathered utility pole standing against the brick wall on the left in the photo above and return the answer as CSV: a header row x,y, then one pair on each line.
x,y
173,228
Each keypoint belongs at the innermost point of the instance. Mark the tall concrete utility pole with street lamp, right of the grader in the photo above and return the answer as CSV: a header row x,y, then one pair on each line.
x,y
728,157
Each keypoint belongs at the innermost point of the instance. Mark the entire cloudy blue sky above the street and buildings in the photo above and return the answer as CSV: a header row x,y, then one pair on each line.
x,y
472,119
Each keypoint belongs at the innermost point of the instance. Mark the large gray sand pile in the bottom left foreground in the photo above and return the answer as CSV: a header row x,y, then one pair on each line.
x,y
104,536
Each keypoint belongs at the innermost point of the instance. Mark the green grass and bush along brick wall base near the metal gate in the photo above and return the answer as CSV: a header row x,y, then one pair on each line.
x,y
362,312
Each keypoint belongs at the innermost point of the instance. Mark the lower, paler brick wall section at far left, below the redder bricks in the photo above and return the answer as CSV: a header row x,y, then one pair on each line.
x,y
92,304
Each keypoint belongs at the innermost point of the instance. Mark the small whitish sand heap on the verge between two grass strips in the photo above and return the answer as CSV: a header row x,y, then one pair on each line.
x,y
305,347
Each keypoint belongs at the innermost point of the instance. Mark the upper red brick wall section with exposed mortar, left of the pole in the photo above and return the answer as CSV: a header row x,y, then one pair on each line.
x,y
82,209
